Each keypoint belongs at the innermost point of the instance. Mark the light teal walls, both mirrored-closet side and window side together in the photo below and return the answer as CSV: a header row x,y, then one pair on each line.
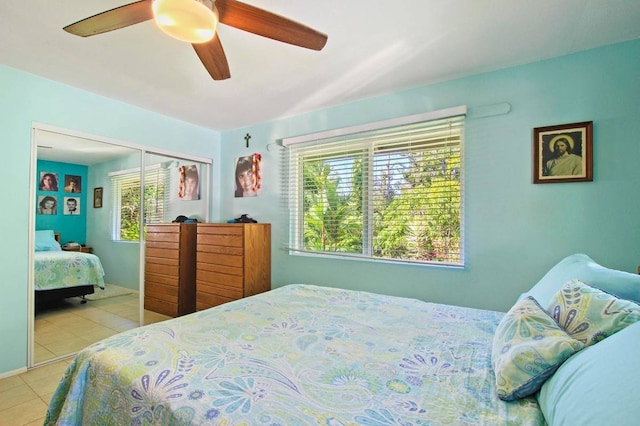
x,y
514,230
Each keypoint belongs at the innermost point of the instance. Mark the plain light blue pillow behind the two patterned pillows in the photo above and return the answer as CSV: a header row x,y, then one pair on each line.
x,y
581,267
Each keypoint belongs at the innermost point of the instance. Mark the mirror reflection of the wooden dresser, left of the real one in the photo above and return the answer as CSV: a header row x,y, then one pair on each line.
x,y
169,270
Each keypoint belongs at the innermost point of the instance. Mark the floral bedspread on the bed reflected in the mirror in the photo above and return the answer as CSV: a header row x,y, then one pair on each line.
x,y
57,269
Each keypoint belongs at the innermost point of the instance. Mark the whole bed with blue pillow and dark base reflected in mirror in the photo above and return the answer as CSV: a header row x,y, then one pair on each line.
x,y
62,274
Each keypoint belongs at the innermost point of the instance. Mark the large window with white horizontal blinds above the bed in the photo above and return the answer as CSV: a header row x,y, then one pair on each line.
x,y
392,193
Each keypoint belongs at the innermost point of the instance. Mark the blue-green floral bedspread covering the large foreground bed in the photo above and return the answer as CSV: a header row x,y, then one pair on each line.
x,y
297,355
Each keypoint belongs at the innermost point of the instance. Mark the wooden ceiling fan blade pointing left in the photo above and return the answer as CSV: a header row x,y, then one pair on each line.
x,y
113,19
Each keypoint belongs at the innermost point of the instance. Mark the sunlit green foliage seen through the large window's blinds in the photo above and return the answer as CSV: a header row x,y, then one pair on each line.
x,y
415,202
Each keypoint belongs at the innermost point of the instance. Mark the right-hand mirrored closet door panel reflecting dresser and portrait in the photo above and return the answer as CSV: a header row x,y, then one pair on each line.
x,y
175,191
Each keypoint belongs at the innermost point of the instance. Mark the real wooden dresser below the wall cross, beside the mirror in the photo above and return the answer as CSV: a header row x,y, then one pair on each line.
x,y
232,261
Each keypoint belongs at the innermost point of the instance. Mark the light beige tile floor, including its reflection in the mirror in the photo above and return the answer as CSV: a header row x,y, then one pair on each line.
x,y
61,330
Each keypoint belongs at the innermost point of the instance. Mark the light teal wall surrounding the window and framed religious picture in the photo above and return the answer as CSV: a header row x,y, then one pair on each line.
x,y
514,231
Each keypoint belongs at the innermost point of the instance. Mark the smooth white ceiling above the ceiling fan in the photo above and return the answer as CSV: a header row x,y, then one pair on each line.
x,y
374,47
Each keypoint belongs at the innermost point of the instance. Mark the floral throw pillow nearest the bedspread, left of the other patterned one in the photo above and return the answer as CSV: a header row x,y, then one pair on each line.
x,y
528,347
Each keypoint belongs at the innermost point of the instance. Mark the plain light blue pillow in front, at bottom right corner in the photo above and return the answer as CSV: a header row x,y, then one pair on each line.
x,y
598,385
